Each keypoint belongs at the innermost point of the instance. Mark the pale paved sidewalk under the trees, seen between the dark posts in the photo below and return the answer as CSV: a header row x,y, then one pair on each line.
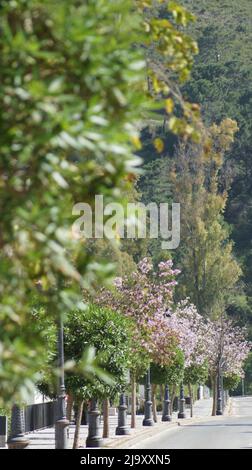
x,y
44,438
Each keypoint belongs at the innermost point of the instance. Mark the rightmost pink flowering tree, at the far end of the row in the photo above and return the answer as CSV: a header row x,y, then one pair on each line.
x,y
227,349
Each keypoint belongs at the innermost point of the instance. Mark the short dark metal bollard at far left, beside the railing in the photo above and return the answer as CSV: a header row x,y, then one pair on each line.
x,y
17,439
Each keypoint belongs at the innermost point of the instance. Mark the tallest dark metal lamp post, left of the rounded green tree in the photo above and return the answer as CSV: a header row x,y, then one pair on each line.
x,y
61,425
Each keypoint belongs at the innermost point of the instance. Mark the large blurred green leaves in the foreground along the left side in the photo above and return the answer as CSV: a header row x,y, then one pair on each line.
x,y
73,90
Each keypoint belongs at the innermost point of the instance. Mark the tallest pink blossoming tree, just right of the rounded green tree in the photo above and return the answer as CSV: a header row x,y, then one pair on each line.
x,y
146,296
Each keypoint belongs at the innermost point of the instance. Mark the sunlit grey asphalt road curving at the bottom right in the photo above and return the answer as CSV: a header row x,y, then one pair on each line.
x,y
222,432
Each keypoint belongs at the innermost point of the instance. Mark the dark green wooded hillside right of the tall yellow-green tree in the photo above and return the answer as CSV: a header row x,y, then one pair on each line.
x,y
222,83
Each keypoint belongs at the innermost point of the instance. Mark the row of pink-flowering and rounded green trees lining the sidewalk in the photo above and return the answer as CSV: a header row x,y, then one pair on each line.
x,y
136,325
